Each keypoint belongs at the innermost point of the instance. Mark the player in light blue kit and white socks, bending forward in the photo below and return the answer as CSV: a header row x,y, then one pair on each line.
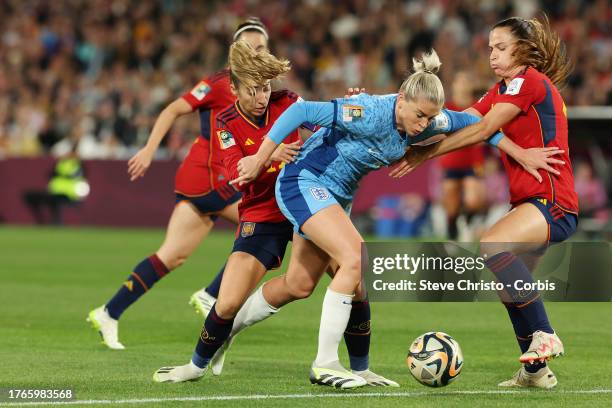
x,y
360,134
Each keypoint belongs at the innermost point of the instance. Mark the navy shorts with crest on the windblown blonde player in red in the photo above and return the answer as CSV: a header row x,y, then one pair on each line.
x,y
266,241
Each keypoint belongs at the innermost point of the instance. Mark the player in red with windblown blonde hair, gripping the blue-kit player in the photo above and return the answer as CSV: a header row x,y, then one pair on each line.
x,y
264,232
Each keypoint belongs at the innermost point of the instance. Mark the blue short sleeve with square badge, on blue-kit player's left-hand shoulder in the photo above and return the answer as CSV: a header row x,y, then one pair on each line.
x,y
360,115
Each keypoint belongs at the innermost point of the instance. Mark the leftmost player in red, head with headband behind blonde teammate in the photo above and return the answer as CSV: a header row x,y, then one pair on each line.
x,y
201,187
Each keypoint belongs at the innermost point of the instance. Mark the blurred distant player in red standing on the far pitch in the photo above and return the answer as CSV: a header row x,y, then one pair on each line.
x,y
462,186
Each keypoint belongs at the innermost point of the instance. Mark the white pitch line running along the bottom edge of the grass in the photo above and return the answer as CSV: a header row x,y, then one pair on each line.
x,y
295,396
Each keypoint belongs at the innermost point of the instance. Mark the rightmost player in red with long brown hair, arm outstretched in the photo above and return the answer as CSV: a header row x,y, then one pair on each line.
x,y
530,59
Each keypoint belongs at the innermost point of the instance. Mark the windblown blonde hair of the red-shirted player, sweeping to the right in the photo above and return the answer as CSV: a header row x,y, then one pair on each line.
x,y
253,68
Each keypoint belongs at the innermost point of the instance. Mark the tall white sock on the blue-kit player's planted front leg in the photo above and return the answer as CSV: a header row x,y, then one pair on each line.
x,y
334,318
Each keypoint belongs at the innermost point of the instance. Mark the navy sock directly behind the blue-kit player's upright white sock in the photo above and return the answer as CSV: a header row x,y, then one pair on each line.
x,y
357,335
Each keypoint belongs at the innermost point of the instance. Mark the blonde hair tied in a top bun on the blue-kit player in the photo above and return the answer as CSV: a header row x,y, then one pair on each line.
x,y
424,83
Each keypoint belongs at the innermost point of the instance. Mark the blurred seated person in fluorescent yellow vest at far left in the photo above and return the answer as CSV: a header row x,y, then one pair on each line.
x,y
67,187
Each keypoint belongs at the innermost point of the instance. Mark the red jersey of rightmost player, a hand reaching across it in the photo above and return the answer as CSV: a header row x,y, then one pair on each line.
x,y
542,122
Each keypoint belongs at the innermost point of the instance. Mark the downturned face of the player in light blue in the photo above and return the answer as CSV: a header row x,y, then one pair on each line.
x,y
413,116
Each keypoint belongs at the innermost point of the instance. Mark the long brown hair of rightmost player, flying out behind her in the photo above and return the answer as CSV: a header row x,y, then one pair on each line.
x,y
540,47
